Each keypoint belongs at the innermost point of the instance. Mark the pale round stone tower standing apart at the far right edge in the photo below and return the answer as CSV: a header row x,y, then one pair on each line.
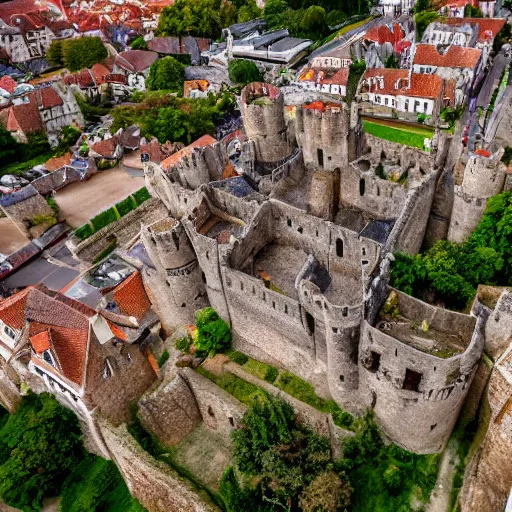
x,y
484,177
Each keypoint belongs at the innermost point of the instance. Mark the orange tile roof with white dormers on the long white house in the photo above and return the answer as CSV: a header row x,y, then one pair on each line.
x,y
395,83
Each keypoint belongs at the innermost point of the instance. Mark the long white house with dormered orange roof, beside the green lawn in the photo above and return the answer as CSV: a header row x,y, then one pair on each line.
x,y
395,89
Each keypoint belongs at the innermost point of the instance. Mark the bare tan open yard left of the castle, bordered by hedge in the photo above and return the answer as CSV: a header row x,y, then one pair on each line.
x,y
82,200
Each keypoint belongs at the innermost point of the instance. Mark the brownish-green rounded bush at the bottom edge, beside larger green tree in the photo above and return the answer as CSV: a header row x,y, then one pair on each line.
x,y
328,492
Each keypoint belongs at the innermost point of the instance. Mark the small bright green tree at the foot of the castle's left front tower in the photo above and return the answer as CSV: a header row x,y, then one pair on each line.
x,y
213,333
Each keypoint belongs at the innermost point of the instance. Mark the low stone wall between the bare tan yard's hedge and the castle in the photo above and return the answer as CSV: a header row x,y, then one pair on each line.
x,y
123,231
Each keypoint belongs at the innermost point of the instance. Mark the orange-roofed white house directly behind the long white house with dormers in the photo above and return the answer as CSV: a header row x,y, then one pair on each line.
x,y
462,64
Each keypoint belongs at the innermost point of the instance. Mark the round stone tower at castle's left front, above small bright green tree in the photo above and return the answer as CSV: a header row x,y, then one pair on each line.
x,y
176,282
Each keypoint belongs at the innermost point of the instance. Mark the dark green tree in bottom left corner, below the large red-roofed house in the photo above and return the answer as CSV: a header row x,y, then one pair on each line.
x,y
39,445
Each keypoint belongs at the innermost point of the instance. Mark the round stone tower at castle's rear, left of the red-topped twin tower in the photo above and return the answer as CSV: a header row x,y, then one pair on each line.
x,y
262,107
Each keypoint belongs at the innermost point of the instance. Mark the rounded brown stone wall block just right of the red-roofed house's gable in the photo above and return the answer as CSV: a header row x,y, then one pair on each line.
x,y
170,412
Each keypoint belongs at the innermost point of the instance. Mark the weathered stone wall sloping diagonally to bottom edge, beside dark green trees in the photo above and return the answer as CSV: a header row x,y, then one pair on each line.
x,y
155,484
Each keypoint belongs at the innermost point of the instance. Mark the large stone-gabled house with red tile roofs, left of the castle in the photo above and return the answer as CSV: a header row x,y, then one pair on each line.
x,y
92,361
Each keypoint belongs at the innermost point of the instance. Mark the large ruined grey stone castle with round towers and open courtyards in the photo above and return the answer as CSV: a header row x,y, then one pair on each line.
x,y
294,253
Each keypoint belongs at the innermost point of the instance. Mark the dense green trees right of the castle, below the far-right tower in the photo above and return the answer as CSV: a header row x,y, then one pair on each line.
x,y
450,272
